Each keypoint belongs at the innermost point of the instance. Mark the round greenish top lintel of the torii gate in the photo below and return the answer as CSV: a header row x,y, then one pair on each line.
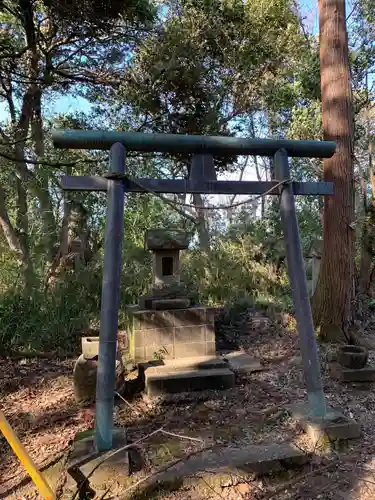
x,y
178,143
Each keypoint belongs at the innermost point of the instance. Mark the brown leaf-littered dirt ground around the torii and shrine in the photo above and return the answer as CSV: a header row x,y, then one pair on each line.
x,y
37,398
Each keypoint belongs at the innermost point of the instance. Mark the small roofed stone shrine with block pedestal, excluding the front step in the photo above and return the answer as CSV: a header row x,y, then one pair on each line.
x,y
164,324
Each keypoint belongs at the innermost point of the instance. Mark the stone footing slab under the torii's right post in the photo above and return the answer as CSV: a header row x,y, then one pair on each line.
x,y
335,425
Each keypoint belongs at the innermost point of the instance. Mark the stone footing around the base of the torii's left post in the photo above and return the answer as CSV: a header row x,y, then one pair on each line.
x,y
84,458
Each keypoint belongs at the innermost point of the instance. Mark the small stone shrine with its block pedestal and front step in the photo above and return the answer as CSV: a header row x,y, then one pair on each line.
x,y
173,343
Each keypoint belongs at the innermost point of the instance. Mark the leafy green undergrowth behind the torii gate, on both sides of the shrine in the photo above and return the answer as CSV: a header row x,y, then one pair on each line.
x,y
230,275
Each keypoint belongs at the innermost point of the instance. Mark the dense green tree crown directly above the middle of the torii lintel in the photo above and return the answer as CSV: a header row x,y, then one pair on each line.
x,y
213,61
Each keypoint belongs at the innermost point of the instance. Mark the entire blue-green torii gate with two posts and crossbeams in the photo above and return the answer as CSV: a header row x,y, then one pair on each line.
x,y
116,184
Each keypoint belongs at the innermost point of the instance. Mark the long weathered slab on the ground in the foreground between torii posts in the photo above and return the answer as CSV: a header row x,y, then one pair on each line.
x,y
228,462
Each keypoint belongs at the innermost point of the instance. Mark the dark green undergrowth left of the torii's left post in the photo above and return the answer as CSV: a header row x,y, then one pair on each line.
x,y
50,322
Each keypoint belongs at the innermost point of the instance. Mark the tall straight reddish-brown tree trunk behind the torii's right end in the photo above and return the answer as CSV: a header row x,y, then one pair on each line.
x,y
332,298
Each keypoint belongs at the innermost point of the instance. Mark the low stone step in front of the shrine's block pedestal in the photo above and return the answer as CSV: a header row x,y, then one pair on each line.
x,y
188,375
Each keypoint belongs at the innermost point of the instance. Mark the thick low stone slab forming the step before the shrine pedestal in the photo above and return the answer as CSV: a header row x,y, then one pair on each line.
x,y
168,380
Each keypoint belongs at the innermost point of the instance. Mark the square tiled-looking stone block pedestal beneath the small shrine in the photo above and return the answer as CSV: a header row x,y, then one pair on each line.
x,y
172,334
